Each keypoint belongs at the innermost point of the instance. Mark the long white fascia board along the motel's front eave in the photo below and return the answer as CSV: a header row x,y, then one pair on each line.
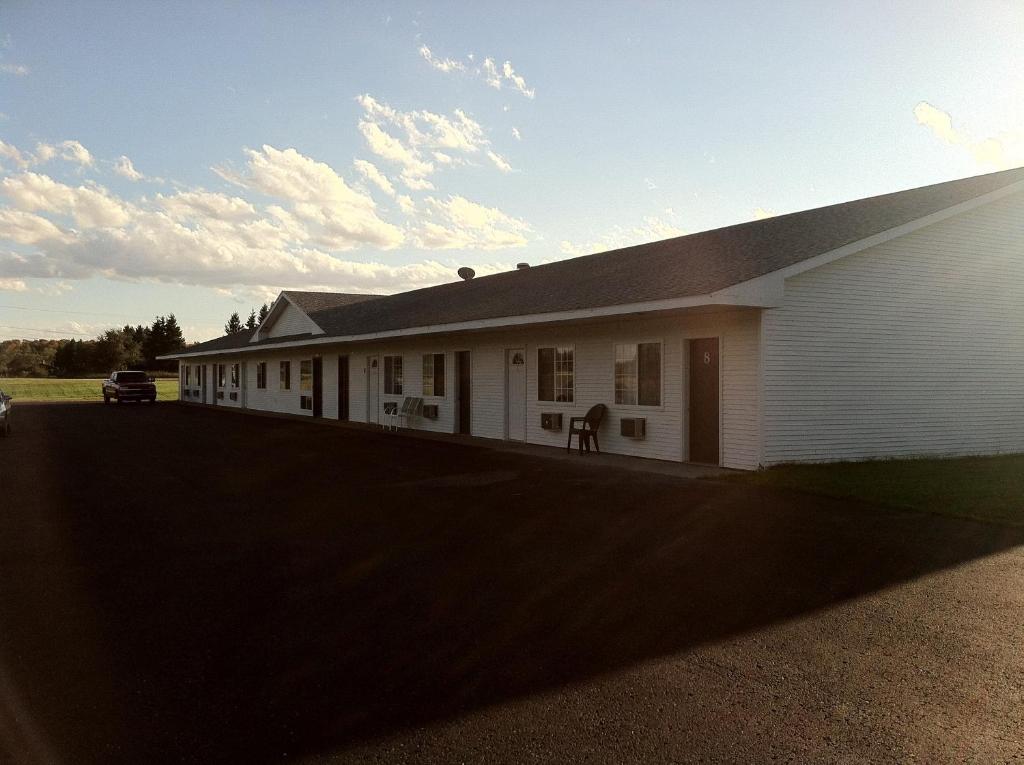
x,y
758,296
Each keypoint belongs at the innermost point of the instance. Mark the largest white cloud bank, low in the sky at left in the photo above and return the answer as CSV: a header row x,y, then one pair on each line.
x,y
61,233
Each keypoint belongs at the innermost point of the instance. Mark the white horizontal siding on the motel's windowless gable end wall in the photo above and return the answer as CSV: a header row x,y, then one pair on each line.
x,y
913,348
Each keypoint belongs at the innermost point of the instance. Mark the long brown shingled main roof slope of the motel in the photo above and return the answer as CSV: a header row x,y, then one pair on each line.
x,y
685,267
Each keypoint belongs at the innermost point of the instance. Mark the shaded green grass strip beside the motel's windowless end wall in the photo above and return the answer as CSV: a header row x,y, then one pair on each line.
x,y
990,489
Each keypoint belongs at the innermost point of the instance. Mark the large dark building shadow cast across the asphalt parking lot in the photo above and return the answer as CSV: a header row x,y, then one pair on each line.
x,y
182,584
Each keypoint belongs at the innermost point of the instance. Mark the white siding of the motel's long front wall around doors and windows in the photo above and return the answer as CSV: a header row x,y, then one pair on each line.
x,y
593,348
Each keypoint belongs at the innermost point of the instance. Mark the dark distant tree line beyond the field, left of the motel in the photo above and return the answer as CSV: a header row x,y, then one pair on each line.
x,y
129,348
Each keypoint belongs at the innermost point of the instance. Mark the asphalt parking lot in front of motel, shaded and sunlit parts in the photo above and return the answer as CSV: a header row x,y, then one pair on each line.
x,y
185,585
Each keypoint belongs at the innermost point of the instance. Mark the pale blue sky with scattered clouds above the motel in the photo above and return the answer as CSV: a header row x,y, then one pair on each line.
x,y
197,159
